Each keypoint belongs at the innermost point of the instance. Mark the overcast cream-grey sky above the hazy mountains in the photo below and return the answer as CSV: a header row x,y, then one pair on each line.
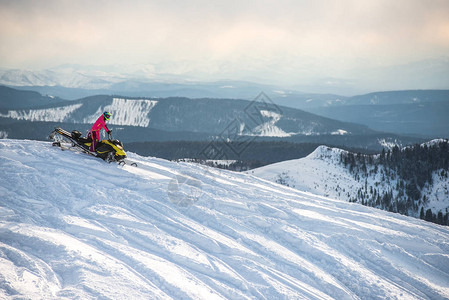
x,y
265,39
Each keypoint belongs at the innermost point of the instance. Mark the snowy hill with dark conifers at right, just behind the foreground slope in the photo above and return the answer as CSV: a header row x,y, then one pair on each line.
x,y
411,181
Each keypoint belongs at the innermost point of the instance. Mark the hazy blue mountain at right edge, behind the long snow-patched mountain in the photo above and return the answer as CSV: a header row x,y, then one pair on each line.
x,y
414,112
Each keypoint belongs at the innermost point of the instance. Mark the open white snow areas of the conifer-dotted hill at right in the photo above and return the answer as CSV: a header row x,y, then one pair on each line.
x,y
322,173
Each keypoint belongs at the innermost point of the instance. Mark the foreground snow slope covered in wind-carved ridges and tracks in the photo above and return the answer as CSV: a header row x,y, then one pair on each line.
x,y
73,226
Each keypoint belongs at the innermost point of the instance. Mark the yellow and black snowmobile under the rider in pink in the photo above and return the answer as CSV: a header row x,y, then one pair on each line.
x,y
109,150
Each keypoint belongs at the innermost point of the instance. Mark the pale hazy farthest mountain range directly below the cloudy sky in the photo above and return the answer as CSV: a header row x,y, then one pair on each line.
x,y
126,79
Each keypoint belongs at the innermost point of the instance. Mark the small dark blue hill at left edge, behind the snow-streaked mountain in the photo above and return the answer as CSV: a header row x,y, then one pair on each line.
x,y
16,99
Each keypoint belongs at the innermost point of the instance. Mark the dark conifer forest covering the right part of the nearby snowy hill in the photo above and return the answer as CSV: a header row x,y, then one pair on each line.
x,y
414,174
